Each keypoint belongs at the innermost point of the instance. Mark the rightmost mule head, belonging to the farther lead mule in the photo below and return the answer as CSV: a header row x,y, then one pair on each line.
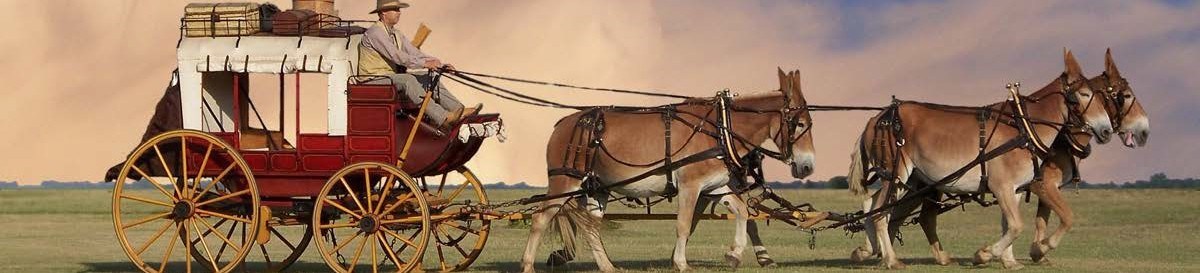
x,y
1129,118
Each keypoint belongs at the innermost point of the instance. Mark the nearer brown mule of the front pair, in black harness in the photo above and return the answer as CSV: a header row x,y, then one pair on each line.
x,y
934,141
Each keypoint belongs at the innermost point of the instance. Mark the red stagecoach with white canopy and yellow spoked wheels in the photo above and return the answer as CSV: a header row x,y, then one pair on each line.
x,y
377,190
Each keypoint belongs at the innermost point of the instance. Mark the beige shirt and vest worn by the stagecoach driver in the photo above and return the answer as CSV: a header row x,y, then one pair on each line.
x,y
383,48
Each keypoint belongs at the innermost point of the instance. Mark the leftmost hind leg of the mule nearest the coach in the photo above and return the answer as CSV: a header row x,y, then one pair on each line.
x,y
542,220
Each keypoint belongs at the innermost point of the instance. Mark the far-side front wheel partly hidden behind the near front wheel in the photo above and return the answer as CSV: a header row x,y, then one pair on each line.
x,y
459,235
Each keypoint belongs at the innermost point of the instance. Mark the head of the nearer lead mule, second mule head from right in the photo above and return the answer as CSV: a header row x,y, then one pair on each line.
x,y
1084,104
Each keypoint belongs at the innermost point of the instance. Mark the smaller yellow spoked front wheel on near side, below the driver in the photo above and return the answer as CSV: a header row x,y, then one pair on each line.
x,y
371,217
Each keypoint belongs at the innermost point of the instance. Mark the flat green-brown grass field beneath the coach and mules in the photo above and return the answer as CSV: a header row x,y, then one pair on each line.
x,y
1115,232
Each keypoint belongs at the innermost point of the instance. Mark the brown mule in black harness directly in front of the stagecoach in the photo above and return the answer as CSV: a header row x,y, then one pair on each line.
x,y
627,144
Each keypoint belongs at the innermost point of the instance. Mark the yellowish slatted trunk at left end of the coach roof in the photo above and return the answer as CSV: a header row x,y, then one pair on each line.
x,y
206,20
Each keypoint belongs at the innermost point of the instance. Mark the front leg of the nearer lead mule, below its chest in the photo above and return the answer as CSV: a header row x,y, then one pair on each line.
x,y
1011,225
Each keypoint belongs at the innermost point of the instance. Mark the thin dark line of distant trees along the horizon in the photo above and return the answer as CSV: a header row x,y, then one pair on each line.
x,y
1157,181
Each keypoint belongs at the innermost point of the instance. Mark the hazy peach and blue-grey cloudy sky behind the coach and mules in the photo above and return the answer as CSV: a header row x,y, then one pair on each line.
x,y
81,78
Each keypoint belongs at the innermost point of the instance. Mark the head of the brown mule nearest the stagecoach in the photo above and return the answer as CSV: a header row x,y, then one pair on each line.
x,y
795,136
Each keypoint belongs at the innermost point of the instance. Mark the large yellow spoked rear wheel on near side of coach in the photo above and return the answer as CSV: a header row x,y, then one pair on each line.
x,y
194,185
